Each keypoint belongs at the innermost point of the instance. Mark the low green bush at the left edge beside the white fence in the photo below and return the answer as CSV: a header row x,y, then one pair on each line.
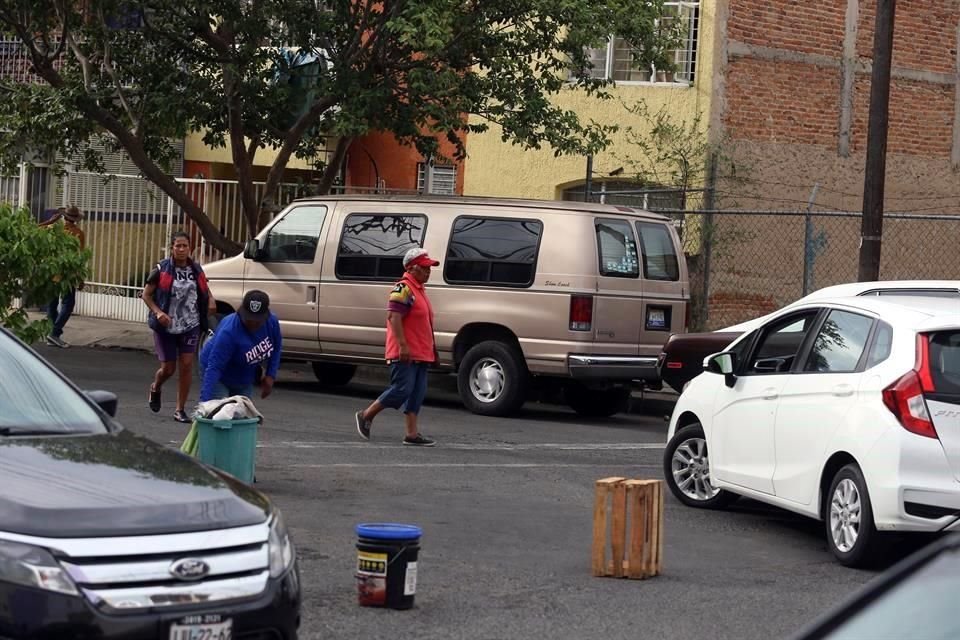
x,y
37,264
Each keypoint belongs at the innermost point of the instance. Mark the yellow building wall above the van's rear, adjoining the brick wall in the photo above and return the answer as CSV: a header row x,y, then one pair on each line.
x,y
497,168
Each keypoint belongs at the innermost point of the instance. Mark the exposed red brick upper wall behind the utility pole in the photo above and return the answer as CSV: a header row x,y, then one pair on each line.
x,y
783,83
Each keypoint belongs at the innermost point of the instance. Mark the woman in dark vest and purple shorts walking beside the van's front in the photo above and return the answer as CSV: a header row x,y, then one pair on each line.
x,y
180,301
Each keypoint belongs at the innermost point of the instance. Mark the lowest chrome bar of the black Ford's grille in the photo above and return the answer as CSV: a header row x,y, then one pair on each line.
x,y
178,594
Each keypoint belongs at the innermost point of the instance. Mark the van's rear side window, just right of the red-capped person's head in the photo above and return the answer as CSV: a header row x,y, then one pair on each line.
x,y
492,251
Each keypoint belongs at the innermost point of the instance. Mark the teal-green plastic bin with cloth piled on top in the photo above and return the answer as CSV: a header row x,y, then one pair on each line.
x,y
229,445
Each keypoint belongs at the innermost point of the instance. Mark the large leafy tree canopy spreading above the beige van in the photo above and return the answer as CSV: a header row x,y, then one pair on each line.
x,y
290,74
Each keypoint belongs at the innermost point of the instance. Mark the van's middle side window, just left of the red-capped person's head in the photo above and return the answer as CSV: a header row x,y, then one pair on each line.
x,y
372,246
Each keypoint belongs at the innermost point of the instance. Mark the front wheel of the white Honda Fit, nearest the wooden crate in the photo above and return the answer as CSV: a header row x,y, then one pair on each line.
x,y
687,470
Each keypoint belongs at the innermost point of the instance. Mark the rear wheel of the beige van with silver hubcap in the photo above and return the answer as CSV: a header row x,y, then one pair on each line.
x,y
492,379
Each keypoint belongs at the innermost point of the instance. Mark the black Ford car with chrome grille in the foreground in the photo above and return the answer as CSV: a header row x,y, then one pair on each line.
x,y
108,535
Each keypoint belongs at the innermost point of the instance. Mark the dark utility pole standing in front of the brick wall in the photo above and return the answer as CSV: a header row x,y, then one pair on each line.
x,y
871,227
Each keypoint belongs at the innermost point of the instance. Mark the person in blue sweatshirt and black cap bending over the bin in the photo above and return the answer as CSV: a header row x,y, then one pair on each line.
x,y
242,341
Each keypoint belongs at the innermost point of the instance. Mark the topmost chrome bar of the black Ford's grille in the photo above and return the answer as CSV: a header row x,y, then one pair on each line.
x,y
193,542
